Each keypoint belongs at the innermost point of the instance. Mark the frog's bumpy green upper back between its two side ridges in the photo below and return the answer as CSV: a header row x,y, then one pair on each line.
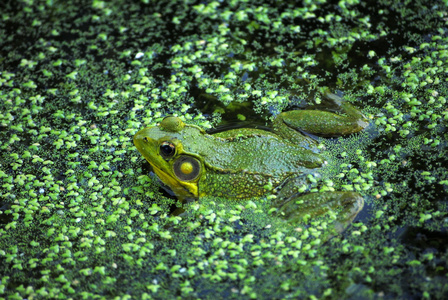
x,y
255,150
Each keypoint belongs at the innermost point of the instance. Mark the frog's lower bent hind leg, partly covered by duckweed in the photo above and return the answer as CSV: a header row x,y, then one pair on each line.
x,y
346,206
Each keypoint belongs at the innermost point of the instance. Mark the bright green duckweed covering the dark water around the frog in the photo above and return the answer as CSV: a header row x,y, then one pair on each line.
x,y
80,216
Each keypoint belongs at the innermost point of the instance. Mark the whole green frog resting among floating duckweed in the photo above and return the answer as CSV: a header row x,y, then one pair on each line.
x,y
245,163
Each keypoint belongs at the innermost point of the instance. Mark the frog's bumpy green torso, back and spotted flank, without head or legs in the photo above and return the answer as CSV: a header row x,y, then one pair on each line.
x,y
240,163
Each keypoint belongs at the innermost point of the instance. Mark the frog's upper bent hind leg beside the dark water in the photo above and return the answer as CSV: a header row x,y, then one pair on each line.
x,y
323,123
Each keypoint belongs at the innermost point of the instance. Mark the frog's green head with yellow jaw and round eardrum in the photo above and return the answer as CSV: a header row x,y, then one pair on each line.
x,y
163,148
